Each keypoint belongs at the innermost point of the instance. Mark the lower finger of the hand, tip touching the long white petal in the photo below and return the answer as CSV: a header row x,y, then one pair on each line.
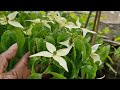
x,y
23,61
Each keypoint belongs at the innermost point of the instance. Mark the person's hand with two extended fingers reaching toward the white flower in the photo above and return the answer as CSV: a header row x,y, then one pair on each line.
x,y
20,71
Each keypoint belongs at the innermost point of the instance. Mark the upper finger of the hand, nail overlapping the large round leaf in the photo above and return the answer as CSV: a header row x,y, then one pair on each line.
x,y
11,52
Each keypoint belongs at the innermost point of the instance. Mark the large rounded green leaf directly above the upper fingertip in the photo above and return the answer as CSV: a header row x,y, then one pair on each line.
x,y
10,37
